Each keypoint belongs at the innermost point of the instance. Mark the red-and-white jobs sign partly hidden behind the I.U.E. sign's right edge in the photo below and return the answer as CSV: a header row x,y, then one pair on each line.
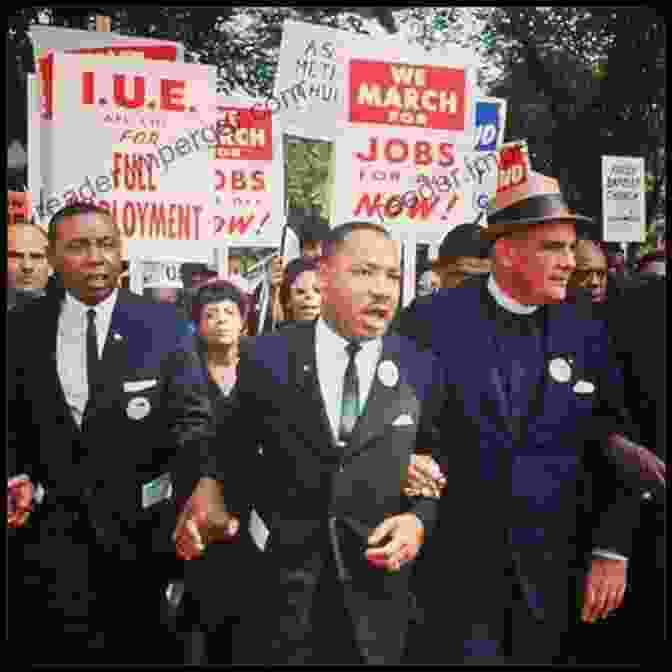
x,y
248,176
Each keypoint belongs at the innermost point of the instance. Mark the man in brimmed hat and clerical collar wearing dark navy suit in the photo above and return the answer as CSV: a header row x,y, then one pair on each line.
x,y
536,391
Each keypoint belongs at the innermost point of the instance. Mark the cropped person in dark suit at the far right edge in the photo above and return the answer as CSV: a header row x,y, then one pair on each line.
x,y
637,324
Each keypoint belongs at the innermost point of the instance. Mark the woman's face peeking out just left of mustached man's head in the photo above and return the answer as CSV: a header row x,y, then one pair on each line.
x,y
299,292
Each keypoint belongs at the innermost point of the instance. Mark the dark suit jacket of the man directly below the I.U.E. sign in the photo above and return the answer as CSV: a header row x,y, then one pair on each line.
x,y
97,474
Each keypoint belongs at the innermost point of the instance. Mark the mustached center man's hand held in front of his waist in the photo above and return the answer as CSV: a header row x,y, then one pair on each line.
x,y
405,533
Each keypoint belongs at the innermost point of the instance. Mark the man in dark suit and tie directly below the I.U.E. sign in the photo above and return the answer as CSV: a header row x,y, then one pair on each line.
x,y
106,395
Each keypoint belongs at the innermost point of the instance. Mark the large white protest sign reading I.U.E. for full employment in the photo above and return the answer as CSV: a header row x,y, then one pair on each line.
x,y
146,157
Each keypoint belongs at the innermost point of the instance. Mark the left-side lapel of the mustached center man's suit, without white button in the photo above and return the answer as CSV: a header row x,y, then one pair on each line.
x,y
313,420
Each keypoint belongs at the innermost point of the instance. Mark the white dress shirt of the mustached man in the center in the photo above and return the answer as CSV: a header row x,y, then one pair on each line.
x,y
332,359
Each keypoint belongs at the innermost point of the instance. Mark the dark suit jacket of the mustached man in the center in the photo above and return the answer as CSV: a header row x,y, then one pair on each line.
x,y
319,498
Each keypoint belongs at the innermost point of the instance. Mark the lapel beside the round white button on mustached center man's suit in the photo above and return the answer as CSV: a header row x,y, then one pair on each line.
x,y
385,402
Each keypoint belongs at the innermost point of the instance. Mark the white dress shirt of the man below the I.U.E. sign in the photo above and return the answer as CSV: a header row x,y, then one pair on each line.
x,y
71,348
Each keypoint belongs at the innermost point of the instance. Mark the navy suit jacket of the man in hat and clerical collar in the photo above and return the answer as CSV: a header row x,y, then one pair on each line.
x,y
539,500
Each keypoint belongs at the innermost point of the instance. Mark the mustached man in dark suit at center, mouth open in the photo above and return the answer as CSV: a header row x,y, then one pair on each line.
x,y
342,535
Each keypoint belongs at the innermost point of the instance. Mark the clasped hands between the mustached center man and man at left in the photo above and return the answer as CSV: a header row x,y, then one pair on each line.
x,y
204,520
